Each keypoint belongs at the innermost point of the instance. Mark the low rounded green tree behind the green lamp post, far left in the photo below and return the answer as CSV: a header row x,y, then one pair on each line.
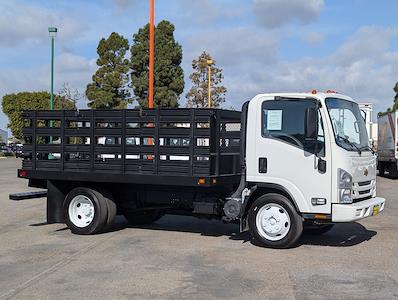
x,y
14,104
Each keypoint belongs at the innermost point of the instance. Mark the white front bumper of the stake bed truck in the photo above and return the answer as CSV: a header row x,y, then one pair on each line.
x,y
356,211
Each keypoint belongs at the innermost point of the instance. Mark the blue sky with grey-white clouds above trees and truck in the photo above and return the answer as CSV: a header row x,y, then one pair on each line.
x,y
262,45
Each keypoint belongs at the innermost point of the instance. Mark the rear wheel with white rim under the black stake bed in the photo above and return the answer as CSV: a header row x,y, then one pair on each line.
x,y
86,211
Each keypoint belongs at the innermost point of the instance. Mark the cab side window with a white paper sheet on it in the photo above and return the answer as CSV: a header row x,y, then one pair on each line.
x,y
284,120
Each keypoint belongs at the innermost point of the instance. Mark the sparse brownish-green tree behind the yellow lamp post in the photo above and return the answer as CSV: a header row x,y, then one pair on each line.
x,y
198,94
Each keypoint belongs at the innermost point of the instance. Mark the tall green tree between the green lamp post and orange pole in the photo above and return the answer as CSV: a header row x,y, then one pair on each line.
x,y
109,88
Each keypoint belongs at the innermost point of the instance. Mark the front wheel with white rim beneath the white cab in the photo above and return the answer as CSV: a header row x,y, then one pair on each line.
x,y
276,213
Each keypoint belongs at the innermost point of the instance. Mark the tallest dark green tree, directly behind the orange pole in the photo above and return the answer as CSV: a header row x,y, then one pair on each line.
x,y
168,74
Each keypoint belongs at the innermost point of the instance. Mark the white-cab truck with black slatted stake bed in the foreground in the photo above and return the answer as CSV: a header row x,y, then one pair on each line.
x,y
286,163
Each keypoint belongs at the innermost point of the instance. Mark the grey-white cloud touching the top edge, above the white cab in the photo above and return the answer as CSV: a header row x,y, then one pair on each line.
x,y
276,13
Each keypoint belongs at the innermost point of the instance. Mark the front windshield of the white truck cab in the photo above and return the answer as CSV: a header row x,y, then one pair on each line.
x,y
348,125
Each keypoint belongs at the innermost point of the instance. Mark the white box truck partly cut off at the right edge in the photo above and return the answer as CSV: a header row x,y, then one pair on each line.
x,y
387,149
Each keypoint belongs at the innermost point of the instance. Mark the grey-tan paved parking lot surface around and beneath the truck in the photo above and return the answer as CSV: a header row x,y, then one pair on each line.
x,y
186,258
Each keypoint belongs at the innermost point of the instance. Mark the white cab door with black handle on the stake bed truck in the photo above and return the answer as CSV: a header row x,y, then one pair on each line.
x,y
285,158
